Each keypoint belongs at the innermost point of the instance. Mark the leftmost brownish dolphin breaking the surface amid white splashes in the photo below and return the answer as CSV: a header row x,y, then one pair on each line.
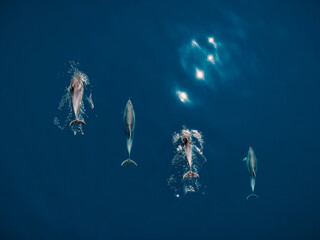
x,y
76,90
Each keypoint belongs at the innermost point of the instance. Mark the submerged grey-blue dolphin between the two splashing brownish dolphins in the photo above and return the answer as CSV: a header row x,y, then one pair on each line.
x,y
129,122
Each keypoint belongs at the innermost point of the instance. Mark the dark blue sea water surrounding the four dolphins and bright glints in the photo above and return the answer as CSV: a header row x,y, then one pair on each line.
x,y
54,185
